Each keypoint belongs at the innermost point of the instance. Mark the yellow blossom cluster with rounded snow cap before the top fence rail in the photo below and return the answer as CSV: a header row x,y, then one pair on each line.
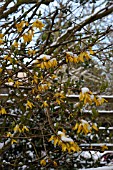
x,y
87,97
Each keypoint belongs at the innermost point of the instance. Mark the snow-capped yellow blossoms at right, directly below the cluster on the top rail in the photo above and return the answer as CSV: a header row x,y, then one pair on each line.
x,y
84,127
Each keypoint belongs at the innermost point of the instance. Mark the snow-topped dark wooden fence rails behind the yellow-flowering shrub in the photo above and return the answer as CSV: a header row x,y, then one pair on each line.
x,y
102,113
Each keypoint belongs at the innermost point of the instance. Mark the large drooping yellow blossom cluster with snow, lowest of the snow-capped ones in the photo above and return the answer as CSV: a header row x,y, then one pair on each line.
x,y
67,144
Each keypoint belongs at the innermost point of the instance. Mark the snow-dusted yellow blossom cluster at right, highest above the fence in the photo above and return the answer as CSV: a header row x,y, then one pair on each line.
x,y
70,57
